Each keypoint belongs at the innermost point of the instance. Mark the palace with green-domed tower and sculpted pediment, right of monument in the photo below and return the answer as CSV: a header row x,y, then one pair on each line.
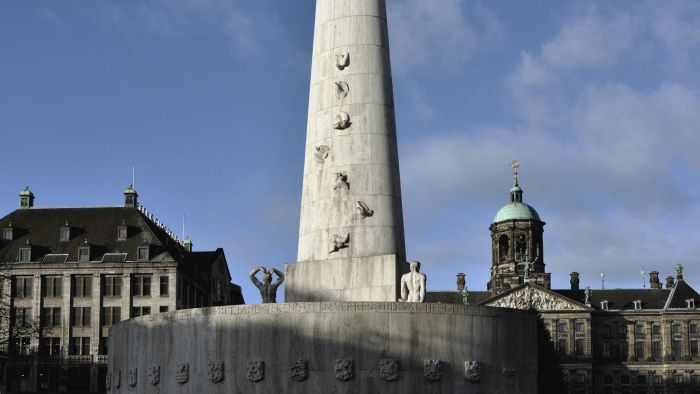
x,y
641,341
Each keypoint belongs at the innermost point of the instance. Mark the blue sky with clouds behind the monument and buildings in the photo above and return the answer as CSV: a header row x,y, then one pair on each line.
x,y
600,102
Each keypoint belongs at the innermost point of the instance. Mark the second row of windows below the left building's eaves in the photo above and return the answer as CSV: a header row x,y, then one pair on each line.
x,y
81,316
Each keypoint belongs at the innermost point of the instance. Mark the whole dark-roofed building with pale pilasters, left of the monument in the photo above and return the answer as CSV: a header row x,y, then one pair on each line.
x,y
71,273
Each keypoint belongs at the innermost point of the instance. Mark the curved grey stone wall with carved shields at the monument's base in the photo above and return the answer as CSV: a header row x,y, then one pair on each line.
x,y
327,347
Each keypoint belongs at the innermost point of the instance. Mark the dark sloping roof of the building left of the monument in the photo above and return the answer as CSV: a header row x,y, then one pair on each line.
x,y
41,228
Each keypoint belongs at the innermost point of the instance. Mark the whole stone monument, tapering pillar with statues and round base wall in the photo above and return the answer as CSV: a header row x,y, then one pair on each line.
x,y
326,338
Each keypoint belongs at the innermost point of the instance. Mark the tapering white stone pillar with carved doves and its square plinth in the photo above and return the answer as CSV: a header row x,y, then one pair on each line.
x,y
351,238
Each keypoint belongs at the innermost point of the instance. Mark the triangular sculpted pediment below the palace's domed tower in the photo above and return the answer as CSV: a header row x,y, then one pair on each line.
x,y
529,296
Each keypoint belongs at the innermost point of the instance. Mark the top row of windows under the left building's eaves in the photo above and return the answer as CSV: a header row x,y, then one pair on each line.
x,y
52,286
